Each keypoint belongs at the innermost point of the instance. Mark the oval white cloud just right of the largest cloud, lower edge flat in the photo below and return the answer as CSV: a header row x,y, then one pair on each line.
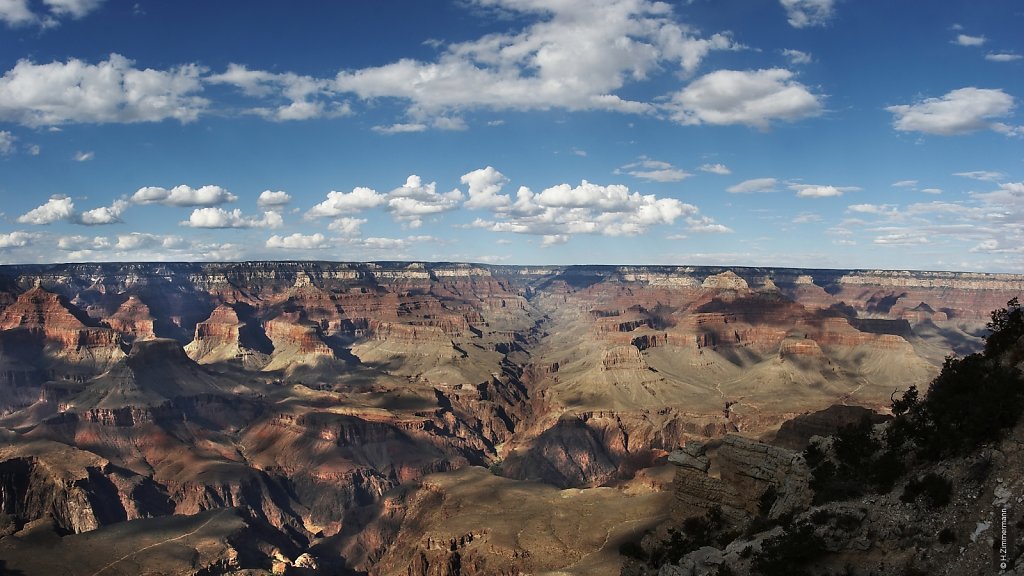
x,y
755,99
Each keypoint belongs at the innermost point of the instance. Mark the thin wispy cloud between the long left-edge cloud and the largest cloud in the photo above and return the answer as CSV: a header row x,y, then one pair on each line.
x,y
294,97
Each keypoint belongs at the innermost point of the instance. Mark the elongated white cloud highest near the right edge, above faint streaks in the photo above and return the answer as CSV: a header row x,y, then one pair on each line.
x,y
960,112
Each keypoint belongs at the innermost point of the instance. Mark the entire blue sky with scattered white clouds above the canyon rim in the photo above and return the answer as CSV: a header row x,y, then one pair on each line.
x,y
808,134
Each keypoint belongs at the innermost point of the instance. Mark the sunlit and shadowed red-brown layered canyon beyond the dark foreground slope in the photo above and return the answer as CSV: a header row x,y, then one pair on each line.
x,y
433,419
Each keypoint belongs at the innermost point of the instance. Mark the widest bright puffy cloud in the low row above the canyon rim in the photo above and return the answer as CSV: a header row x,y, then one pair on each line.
x,y
565,211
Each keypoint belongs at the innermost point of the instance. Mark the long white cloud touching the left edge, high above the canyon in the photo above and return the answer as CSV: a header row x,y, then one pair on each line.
x,y
112,92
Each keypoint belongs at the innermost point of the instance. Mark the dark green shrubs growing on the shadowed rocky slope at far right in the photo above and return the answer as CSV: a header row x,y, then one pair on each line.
x,y
973,401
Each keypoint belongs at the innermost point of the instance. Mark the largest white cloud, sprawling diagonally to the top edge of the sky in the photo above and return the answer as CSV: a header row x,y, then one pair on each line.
x,y
573,56
